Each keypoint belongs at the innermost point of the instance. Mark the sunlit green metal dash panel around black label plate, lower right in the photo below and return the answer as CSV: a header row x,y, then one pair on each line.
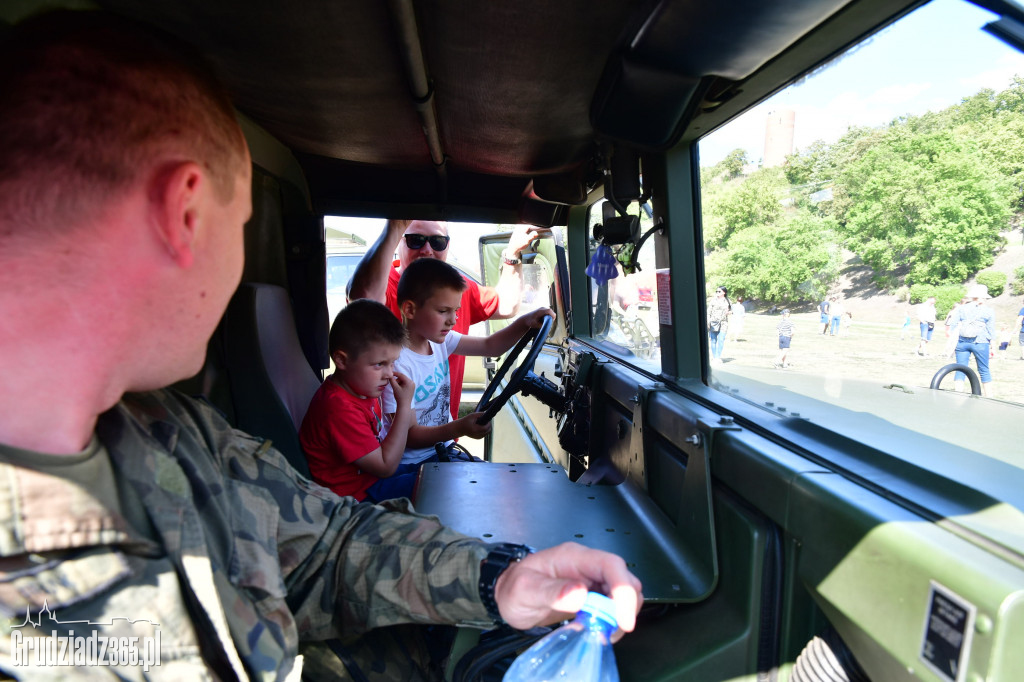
x,y
872,565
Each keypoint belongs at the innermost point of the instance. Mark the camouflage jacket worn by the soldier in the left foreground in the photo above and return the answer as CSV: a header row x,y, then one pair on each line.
x,y
244,559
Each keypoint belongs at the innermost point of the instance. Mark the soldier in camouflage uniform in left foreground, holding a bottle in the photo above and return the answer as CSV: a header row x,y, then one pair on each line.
x,y
144,515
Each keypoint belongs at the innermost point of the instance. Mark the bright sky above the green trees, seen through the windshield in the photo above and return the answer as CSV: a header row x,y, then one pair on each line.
x,y
927,62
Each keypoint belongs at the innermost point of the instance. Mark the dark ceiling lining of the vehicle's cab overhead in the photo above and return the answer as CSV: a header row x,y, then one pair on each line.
x,y
521,91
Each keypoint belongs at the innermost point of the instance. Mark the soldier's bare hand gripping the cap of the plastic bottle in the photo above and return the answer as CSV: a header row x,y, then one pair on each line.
x,y
551,586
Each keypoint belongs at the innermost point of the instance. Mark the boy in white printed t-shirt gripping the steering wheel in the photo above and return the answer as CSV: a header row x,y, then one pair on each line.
x,y
430,296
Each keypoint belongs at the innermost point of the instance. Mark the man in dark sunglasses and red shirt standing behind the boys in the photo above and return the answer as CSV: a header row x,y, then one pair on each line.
x,y
377,278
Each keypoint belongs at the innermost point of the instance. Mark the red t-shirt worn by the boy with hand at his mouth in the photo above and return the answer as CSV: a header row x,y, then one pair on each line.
x,y
338,430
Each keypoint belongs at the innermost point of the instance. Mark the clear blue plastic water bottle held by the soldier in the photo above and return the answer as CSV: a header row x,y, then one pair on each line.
x,y
579,652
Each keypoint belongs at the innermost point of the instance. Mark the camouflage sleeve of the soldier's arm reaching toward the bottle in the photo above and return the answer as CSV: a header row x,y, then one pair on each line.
x,y
351,567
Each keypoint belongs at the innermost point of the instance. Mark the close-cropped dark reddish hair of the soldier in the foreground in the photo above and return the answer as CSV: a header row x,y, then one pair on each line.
x,y
93,103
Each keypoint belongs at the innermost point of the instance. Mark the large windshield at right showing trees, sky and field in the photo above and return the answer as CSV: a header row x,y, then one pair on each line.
x,y
863,232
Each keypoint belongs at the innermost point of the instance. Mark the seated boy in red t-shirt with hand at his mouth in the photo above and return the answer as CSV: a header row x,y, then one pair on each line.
x,y
342,434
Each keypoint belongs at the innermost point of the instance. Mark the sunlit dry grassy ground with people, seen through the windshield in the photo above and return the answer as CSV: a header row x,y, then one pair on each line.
x,y
868,351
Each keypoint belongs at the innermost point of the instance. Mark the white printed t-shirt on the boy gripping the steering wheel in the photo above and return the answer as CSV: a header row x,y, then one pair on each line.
x,y
432,401
